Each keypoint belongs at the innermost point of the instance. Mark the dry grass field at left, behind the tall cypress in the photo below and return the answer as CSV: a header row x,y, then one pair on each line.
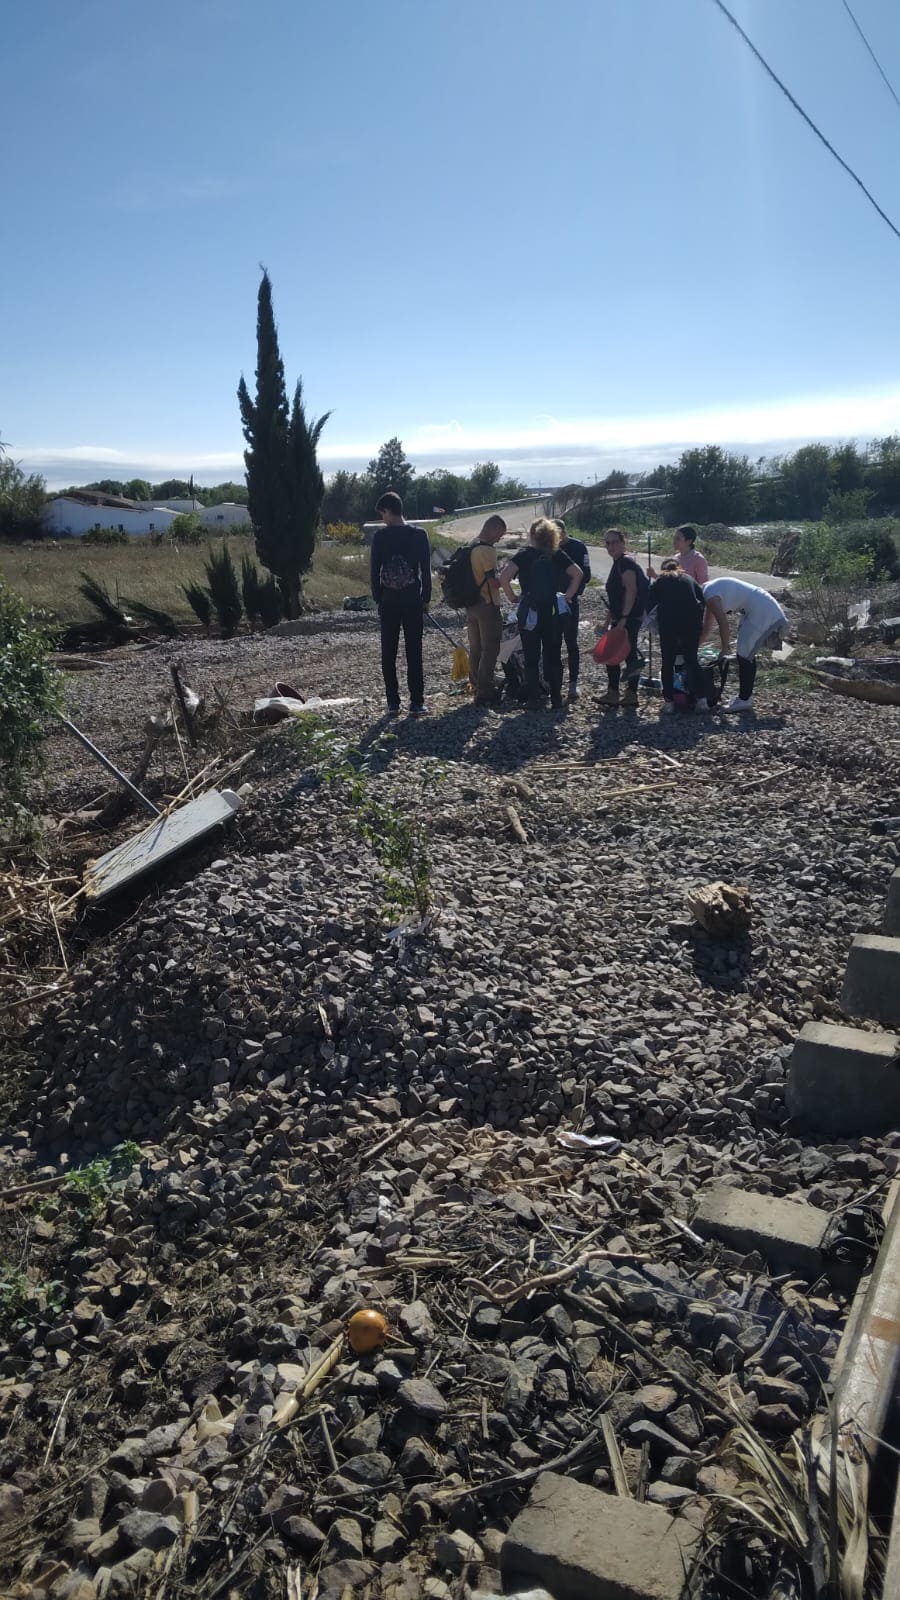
x,y
49,575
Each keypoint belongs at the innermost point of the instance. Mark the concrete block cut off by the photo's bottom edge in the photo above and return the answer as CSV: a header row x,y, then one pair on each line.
x,y
584,1545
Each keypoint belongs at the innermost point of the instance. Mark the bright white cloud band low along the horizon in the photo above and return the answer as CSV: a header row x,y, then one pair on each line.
x,y
548,449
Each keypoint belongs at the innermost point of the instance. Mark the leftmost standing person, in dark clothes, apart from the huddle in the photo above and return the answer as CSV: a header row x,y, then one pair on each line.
x,y
401,588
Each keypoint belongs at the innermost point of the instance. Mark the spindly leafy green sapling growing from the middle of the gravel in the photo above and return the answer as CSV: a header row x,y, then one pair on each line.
x,y
395,838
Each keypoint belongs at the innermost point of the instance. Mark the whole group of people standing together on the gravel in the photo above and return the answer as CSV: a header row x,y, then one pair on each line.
x,y
552,574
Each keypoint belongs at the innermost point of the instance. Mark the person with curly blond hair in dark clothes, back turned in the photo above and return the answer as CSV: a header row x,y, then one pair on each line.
x,y
544,574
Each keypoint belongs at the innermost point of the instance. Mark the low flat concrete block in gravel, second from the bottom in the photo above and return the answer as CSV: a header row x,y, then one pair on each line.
x,y
785,1233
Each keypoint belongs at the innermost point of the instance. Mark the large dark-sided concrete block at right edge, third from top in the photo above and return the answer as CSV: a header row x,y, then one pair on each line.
x,y
845,1081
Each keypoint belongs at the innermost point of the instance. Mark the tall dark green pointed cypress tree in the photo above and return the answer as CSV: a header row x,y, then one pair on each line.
x,y
284,484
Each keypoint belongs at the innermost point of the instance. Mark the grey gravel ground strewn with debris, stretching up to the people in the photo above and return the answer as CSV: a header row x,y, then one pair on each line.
x,y
332,1119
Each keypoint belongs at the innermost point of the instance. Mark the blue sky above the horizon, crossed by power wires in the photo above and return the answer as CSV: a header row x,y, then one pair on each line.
x,y
555,234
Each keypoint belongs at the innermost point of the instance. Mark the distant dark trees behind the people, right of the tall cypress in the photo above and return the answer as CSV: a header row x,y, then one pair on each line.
x,y
352,497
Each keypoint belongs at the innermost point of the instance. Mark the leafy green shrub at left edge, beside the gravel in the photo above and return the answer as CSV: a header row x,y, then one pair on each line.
x,y
30,692
